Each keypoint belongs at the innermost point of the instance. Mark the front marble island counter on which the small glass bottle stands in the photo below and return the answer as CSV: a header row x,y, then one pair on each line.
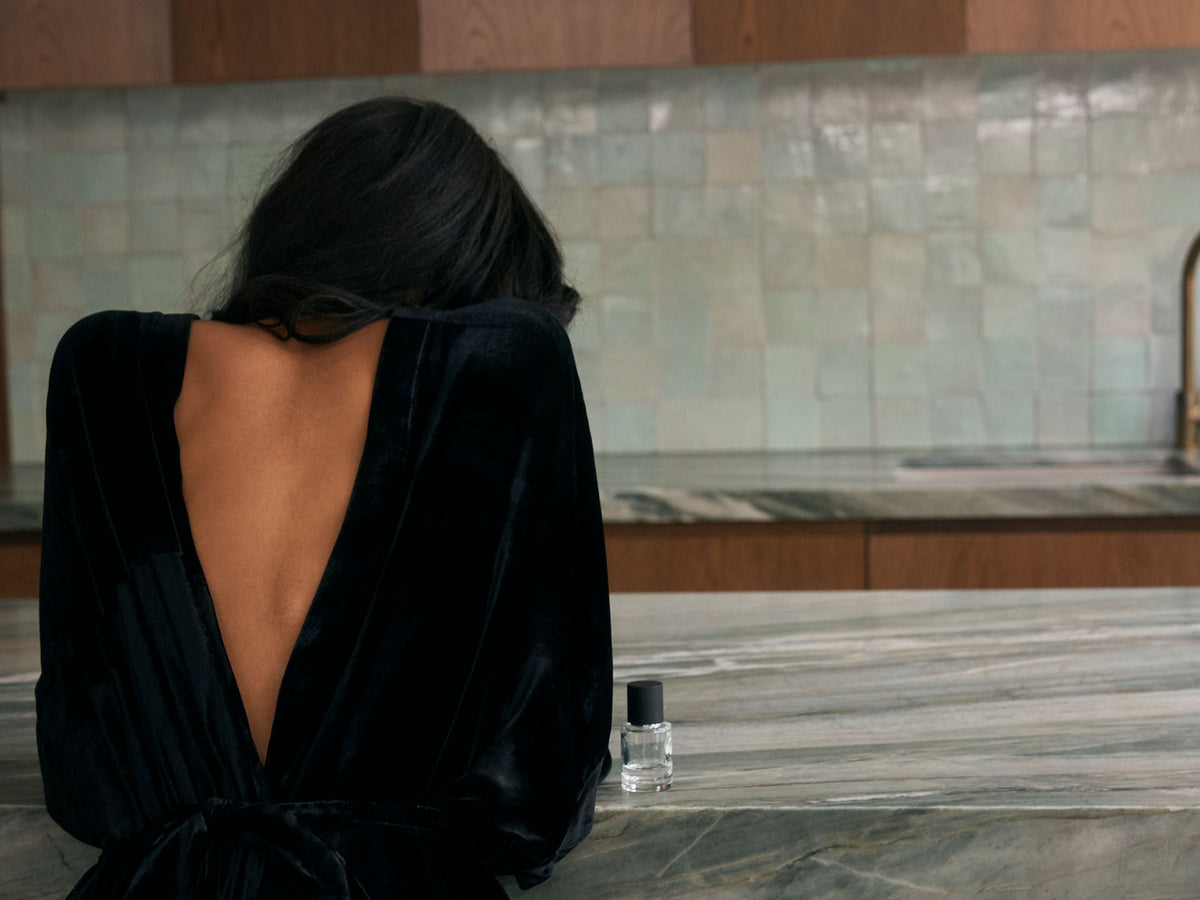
x,y
1033,743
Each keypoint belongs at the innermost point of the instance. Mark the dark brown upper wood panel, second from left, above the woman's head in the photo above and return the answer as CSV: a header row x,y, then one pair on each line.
x,y
247,40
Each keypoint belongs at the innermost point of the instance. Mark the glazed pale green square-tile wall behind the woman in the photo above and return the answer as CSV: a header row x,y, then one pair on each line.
x,y
891,254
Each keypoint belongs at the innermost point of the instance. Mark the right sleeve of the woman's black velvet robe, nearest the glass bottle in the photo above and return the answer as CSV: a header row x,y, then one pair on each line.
x,y
538,710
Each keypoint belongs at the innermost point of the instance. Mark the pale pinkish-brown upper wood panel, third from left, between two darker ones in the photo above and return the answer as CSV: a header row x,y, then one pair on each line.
x,y
479,35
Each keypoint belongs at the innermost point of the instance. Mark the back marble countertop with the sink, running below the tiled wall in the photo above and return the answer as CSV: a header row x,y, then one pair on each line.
x,y
847,485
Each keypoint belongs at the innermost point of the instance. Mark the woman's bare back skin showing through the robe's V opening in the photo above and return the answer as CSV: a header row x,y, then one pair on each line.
x,y
271,437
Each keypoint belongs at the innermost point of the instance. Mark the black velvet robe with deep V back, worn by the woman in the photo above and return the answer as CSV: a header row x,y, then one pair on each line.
x,y
446,712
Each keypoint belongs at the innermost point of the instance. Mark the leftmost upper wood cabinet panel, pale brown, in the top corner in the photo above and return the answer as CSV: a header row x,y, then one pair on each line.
x,y
61,44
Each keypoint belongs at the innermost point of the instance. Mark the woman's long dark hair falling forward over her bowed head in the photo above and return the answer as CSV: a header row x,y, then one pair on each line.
x,y
385,205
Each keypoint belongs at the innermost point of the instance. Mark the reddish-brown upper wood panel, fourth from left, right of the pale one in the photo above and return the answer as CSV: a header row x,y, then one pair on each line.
x,y
770,31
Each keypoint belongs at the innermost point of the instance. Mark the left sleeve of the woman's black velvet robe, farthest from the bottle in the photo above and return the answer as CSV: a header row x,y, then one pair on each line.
x,y
81,764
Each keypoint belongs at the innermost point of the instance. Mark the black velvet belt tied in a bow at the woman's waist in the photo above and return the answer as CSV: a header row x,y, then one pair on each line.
x,y
178,848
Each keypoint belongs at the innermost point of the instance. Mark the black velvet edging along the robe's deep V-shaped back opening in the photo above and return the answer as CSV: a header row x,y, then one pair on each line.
x,y
237,698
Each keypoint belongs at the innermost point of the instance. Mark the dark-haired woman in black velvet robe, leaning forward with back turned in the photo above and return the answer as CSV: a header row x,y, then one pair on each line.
x,y
323,602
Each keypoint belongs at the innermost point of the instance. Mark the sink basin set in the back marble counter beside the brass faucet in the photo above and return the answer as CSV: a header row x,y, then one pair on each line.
x,y
1040,471
